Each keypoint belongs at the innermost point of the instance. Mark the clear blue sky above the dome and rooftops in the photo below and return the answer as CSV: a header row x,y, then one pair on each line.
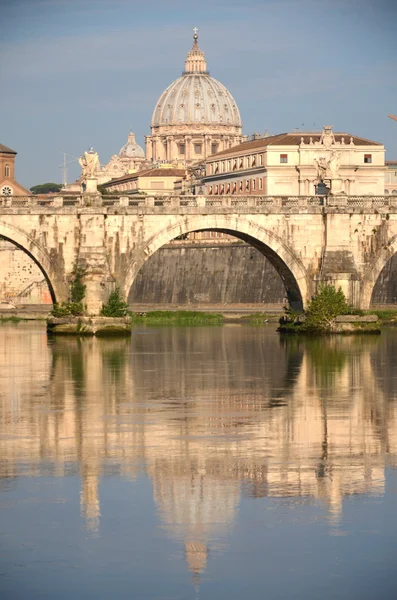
x,y
76,73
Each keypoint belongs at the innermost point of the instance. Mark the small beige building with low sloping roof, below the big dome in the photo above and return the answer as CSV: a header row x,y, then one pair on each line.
x,y
159,181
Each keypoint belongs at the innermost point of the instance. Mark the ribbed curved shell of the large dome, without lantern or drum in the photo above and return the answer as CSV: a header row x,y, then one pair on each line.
x,y
196,98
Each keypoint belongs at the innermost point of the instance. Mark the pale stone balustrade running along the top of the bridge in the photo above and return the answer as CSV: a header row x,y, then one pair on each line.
x,y
258,204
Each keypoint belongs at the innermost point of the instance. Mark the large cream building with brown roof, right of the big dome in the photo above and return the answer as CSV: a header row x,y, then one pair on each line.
x,y
298,164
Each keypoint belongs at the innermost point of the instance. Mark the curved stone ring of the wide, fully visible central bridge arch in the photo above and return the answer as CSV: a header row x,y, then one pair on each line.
x,y
283,258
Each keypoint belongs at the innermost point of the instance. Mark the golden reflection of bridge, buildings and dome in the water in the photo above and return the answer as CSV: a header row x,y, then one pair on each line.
x,y
208,414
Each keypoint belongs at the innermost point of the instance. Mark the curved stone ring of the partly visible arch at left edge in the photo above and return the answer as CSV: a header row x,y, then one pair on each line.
x,y
30,246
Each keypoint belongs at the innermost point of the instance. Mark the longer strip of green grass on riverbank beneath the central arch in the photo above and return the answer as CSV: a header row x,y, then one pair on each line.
x,y
182,317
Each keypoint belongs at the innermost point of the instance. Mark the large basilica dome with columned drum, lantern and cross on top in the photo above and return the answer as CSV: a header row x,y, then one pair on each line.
x,y
194,117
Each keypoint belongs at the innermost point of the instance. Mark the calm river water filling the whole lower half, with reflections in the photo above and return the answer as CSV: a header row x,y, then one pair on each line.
x,y
184,463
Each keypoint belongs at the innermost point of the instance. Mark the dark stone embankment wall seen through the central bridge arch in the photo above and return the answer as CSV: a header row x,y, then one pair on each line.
x,y
216,273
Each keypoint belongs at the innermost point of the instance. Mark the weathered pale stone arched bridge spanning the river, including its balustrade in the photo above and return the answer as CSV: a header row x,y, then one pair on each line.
x,y
342,239
